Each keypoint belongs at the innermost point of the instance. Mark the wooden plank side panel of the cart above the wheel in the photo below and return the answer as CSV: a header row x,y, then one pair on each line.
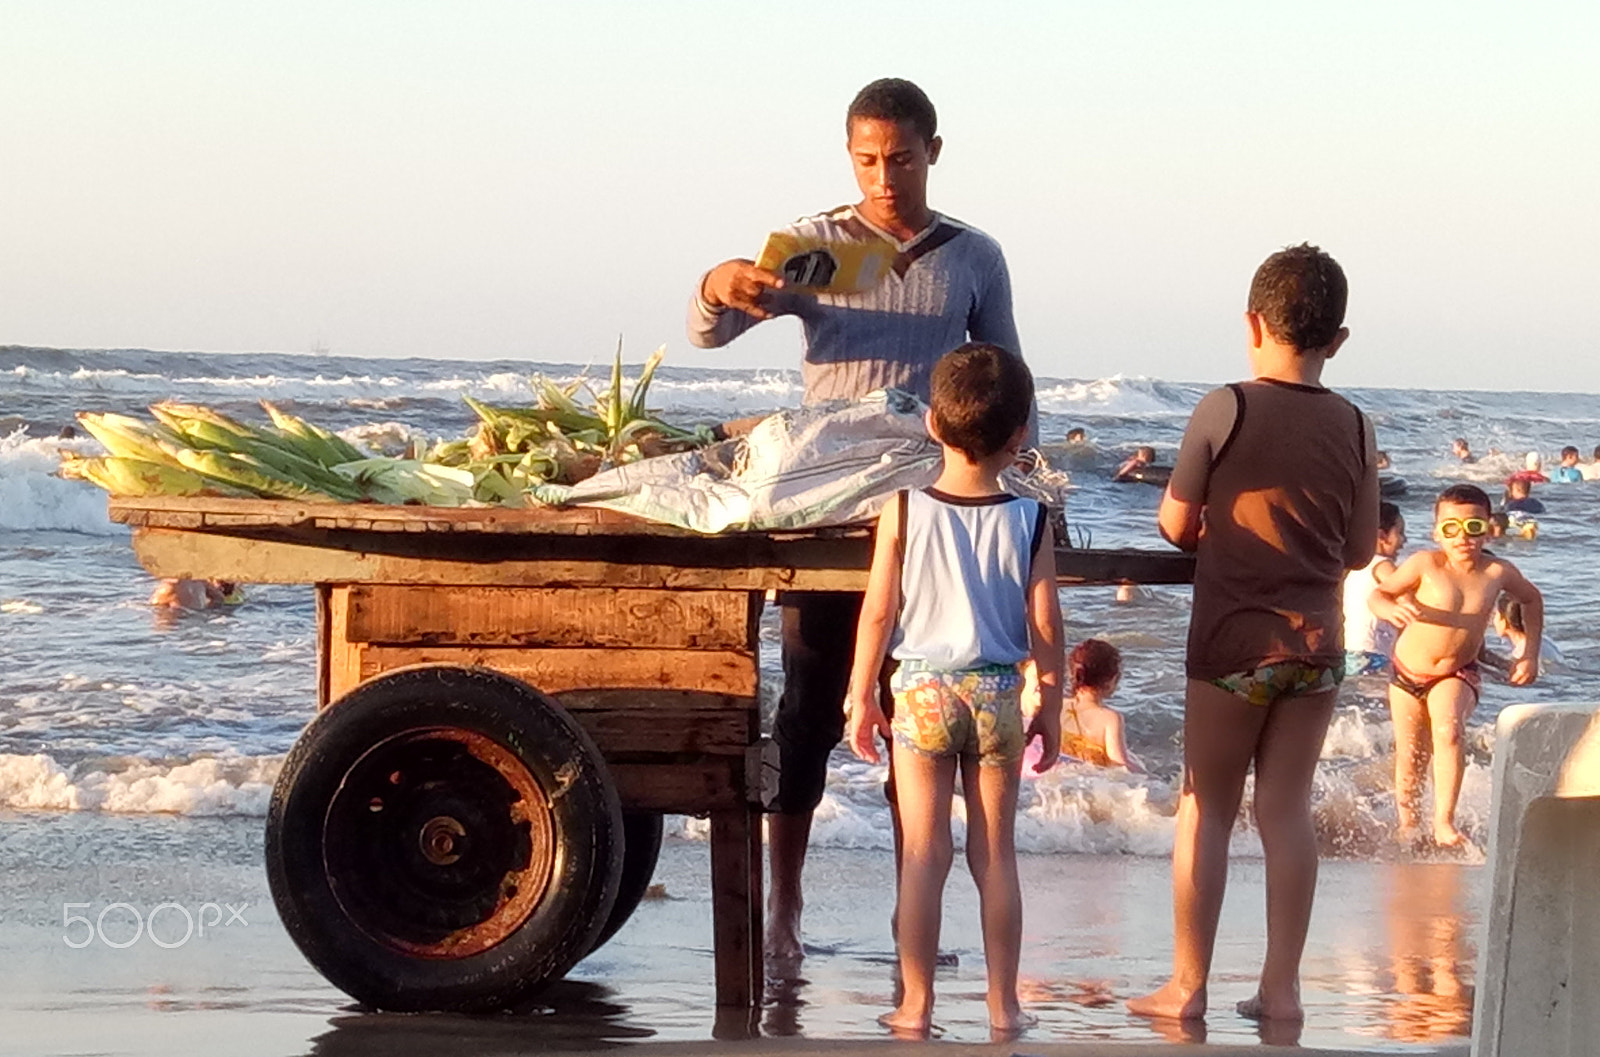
x,y
665,682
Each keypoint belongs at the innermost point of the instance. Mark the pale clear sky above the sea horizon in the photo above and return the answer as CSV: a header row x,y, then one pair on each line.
x,y
530,180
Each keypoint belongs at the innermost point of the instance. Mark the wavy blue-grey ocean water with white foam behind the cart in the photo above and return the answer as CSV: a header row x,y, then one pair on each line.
x,y
114,709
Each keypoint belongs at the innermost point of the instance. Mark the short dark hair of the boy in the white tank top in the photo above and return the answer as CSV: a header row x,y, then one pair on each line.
x,y
982,397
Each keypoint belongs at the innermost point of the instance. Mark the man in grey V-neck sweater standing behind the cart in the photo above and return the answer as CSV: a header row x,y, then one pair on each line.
x,y
948,285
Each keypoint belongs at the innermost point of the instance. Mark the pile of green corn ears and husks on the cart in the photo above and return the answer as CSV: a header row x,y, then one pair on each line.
x,y
196,452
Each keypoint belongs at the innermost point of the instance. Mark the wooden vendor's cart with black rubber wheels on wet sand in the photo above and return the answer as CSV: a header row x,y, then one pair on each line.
x,y
521,696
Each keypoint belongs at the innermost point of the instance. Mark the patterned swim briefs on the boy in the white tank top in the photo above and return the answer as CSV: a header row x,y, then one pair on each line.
x,y
974,712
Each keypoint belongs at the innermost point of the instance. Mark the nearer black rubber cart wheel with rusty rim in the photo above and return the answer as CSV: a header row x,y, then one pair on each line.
x,y
444,839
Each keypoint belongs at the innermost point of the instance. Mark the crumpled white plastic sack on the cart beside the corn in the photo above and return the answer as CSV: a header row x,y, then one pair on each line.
x,y
807,468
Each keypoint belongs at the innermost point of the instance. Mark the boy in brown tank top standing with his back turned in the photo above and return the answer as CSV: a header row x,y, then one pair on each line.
x,y
1276,492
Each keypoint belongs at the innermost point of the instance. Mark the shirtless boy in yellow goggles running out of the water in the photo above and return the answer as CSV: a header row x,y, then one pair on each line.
x,y
1442,602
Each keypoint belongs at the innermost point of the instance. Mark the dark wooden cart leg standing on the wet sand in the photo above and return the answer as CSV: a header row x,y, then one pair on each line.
x,y
737,906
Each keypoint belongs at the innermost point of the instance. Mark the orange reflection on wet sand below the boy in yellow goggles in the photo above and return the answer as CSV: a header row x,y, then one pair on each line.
x,y
1430,951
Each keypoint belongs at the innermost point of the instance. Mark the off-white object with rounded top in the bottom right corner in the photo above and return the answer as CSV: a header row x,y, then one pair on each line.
x,y
1538,992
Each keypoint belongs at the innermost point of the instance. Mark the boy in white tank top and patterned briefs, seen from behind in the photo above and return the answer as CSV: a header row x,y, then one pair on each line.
x,y
962,589
